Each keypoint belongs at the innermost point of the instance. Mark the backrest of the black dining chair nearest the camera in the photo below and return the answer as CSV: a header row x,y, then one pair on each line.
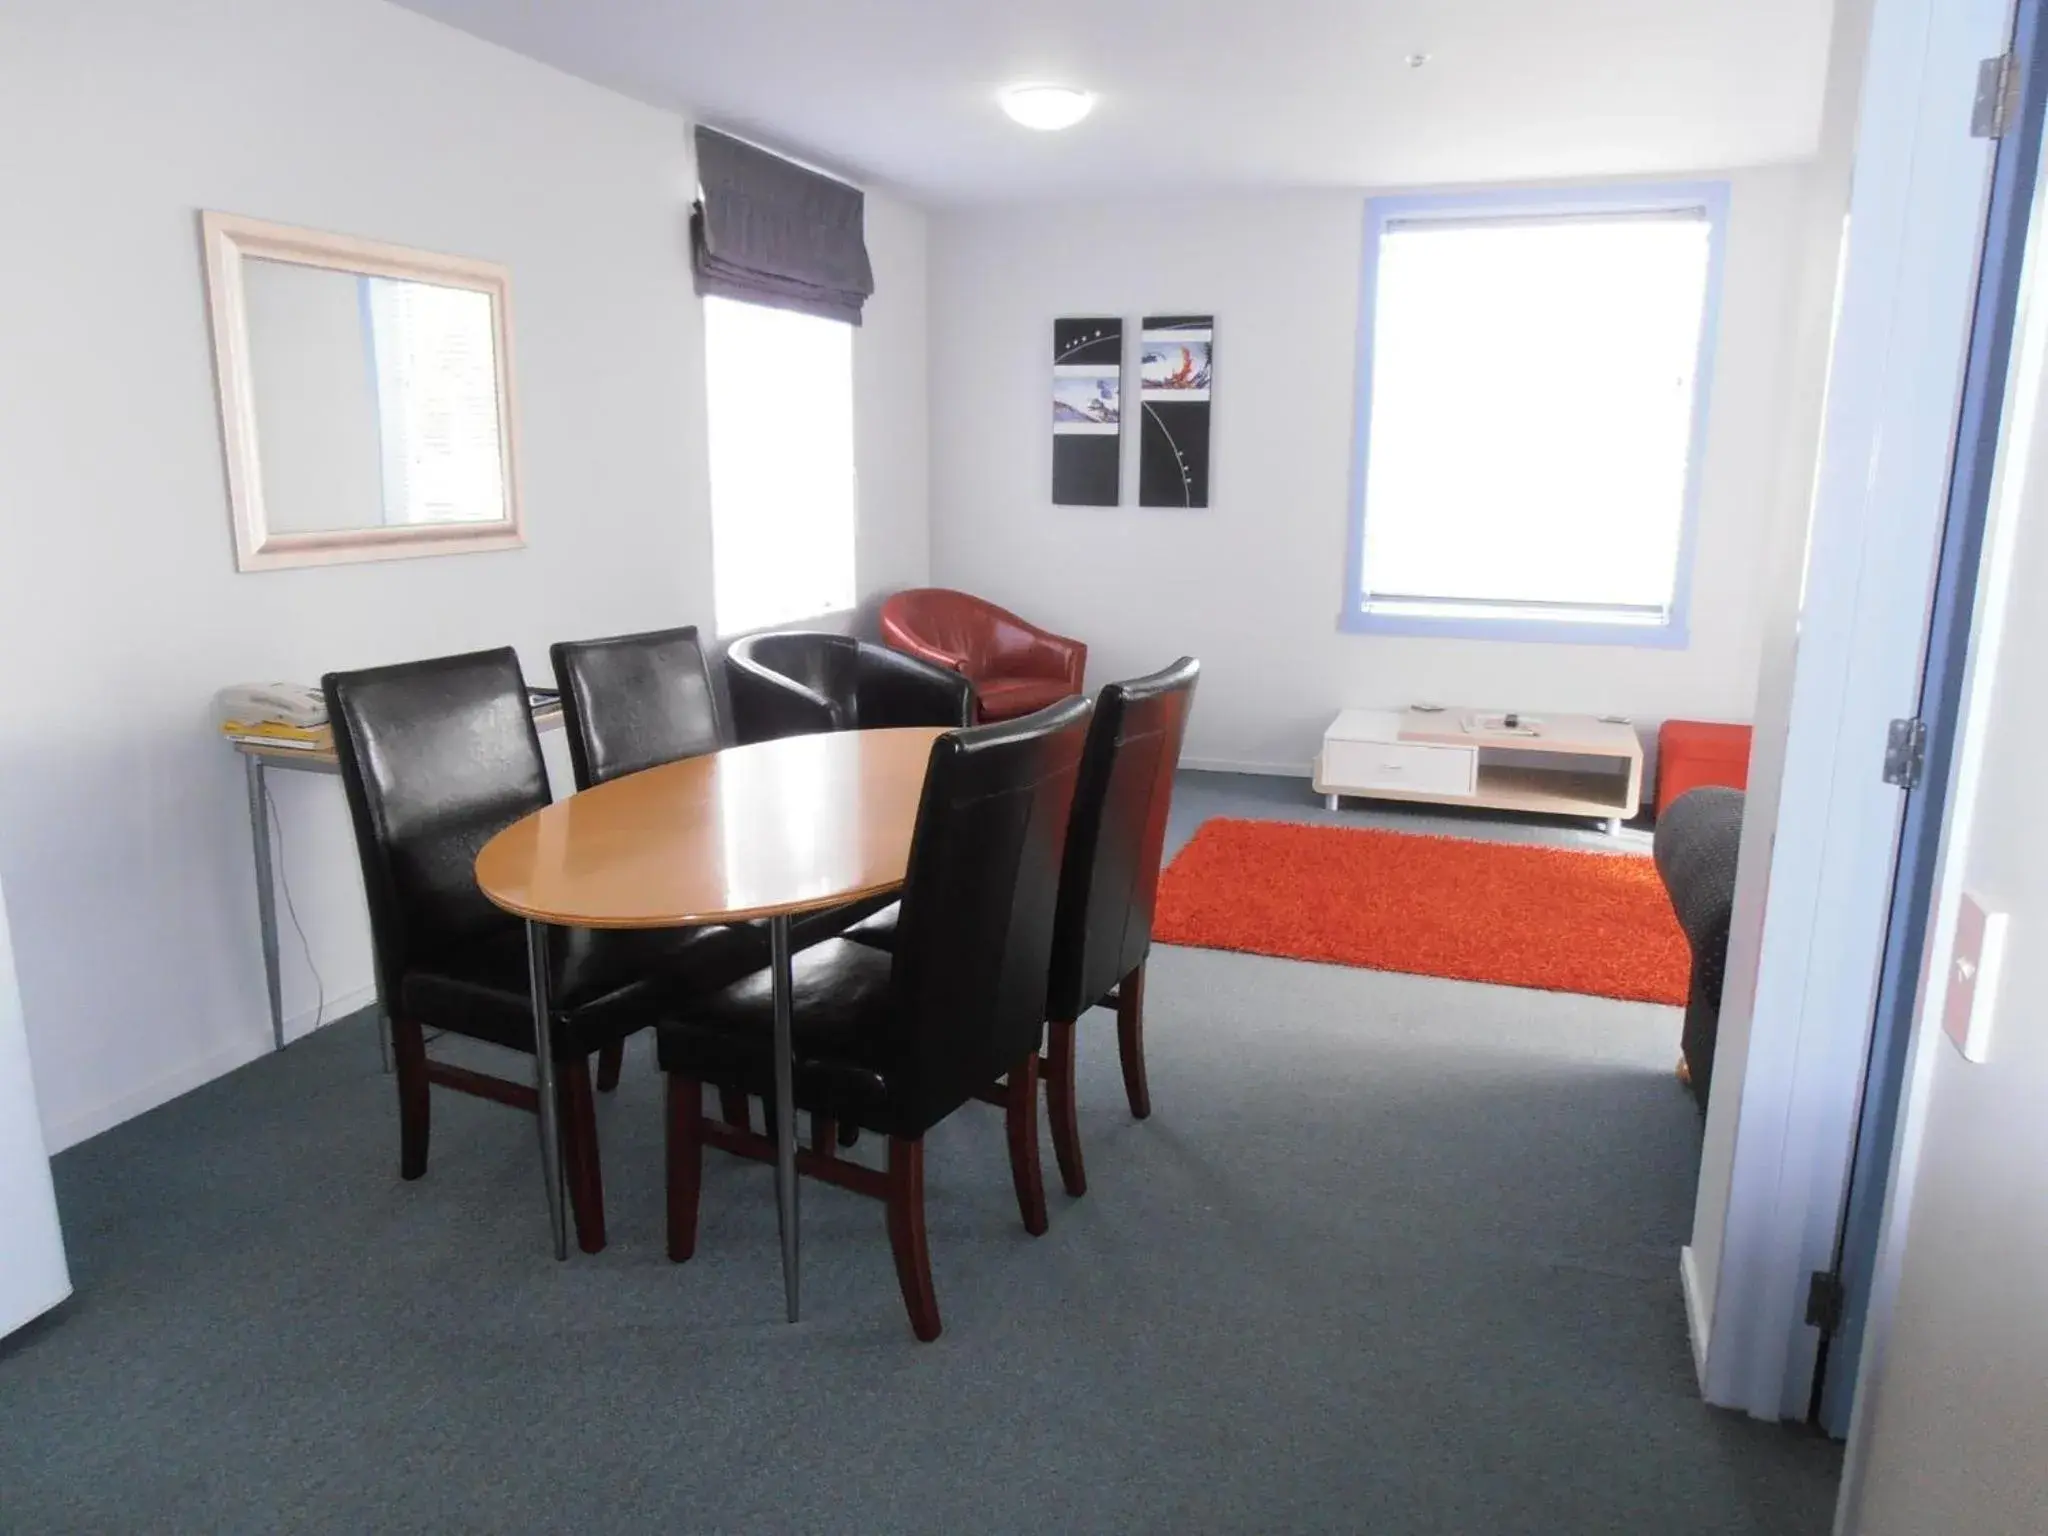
x,y
976,929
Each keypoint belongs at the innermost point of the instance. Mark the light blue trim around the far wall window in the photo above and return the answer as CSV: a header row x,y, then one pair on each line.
x,y
1676,634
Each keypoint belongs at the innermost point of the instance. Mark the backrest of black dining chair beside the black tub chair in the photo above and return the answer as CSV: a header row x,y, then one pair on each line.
x,y
636,701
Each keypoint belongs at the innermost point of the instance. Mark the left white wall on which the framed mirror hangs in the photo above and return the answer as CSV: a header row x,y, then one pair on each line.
x,y
124,839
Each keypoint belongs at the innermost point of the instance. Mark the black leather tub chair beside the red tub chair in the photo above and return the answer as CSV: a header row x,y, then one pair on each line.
x,y
798,683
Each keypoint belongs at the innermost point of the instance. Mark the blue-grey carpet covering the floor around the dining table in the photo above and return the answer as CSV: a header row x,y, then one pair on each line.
x,y
1392,1256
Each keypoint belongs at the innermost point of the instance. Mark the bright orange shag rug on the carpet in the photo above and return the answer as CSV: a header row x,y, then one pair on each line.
x,y
1498,912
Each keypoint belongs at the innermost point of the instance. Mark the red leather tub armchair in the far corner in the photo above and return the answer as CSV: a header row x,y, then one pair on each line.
x,y
1017,669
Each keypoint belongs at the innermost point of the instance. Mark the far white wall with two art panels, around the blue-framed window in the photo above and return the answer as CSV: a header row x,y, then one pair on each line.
x,y
1254,585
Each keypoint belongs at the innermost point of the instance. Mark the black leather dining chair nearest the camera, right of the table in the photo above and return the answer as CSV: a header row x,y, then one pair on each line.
x,y
898,1041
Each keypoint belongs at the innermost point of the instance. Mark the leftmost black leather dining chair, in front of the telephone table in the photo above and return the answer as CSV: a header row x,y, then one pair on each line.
x,y
437,759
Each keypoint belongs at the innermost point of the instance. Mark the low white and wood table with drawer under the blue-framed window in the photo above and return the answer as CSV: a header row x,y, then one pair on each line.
x,y
1558,765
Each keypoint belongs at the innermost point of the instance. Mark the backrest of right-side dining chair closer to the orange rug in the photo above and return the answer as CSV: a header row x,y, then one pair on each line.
x,y
1111,880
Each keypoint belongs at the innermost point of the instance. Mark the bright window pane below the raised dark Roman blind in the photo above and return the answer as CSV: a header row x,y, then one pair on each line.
x,y
781,407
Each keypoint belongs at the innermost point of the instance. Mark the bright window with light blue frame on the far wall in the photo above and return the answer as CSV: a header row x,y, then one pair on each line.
x,y
1533,394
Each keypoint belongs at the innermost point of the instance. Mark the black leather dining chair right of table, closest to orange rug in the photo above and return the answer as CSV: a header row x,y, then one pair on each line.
x,y
1109,890
